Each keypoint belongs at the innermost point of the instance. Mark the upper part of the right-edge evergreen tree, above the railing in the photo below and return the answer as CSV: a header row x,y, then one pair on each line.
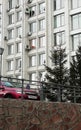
x,y
75,69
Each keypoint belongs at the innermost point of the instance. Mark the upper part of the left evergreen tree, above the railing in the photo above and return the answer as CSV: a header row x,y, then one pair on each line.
x,y
58,73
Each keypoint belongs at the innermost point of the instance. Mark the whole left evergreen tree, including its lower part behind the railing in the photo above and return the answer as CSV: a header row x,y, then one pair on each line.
x,y
58,73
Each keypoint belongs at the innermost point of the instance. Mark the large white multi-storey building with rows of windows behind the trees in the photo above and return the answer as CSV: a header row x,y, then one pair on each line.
x,y
31,28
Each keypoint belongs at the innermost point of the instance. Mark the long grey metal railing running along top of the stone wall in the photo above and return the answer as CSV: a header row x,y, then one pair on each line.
x,y
48,91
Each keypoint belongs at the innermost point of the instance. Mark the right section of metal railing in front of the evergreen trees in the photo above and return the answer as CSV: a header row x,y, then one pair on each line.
x,y
61,93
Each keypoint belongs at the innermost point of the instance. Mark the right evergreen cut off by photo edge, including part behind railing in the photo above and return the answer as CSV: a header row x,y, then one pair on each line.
x,y
75,74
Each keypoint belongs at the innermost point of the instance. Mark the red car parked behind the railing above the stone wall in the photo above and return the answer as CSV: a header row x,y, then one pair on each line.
x,y
8,91
